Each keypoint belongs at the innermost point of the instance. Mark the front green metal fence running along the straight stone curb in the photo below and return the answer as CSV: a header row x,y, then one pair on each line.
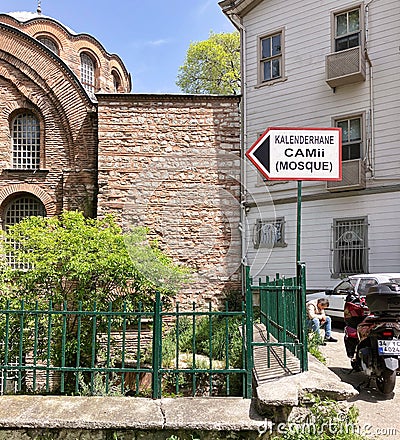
x,y
61,349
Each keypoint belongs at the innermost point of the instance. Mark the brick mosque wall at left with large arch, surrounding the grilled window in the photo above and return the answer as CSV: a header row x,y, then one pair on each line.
x,y
32,80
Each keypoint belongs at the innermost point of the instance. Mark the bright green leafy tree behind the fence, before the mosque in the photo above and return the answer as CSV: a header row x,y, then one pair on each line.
x,y
75,261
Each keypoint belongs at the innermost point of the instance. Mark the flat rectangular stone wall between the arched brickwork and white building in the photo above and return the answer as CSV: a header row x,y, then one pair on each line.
x,y
172,163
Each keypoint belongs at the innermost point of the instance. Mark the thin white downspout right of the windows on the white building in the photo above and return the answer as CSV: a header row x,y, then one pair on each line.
x,y
370,153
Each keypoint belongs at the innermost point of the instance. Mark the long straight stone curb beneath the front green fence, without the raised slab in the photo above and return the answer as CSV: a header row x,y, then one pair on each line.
x,y
97,413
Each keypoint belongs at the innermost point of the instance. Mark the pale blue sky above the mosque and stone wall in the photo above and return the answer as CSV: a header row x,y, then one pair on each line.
x,y
150,36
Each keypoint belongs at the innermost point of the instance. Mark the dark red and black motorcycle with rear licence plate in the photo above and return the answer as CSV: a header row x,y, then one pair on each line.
x,y
372,334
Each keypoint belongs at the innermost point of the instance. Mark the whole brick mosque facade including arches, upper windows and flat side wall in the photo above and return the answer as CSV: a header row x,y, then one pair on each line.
x,y
170,162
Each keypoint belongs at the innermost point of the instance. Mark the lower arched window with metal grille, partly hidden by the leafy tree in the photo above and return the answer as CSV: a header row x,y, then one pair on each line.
x,y
18,209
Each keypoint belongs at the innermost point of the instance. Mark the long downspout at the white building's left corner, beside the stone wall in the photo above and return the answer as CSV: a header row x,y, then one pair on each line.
x,y
237,22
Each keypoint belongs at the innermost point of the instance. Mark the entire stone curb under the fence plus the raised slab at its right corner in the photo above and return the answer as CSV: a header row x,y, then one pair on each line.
x,y
190,413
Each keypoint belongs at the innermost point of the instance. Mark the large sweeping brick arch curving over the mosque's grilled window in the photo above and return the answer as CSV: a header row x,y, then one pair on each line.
x,y
48,78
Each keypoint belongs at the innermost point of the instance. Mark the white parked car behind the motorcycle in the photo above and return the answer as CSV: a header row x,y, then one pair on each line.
x,y
360,283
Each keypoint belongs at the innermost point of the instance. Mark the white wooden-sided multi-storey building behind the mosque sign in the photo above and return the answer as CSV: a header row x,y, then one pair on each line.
x,y
331,63
